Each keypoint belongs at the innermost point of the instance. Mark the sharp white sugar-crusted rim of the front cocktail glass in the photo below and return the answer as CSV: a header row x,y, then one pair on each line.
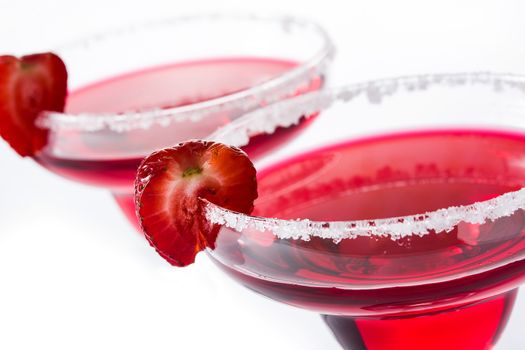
x,y
266,120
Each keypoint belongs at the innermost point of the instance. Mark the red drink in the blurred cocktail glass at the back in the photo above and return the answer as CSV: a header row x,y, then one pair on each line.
x,y
161,87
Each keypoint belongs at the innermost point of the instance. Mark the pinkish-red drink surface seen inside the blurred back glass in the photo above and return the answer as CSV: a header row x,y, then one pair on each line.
x,y
175,85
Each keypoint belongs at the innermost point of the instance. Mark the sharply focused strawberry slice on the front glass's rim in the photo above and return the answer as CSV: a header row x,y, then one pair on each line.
x,y
168,187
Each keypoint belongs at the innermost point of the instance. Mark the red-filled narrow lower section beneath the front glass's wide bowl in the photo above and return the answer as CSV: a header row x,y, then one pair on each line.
x,y
476,326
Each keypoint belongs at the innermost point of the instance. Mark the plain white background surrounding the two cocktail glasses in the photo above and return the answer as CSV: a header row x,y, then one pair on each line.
x,y
75,275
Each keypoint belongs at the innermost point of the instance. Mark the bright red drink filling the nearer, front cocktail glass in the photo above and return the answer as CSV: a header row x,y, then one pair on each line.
x,y
442,290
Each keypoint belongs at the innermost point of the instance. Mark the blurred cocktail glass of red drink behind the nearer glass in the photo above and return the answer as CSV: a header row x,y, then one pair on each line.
x,y
152,85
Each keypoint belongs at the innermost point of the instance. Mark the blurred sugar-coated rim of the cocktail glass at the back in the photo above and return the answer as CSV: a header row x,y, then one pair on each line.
x,y
269,91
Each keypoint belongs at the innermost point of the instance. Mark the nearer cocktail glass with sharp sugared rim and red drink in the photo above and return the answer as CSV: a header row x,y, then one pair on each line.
x,y
398,215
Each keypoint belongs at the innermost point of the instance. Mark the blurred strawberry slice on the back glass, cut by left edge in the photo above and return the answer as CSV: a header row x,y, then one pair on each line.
x,y
28,86
